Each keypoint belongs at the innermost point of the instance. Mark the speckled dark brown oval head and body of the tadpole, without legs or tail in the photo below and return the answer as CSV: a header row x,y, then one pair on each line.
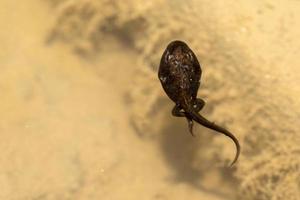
x,y
179,72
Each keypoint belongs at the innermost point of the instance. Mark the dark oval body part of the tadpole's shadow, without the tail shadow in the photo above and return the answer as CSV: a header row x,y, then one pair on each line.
x,y
180,149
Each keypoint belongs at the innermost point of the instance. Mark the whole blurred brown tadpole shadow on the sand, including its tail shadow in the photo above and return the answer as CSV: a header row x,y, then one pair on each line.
x,y
189,160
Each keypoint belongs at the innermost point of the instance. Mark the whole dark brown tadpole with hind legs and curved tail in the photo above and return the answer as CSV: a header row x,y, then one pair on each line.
x,y
180,73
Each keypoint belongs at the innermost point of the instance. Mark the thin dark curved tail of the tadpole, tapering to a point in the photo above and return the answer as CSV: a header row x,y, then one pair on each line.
x,y
203,121
